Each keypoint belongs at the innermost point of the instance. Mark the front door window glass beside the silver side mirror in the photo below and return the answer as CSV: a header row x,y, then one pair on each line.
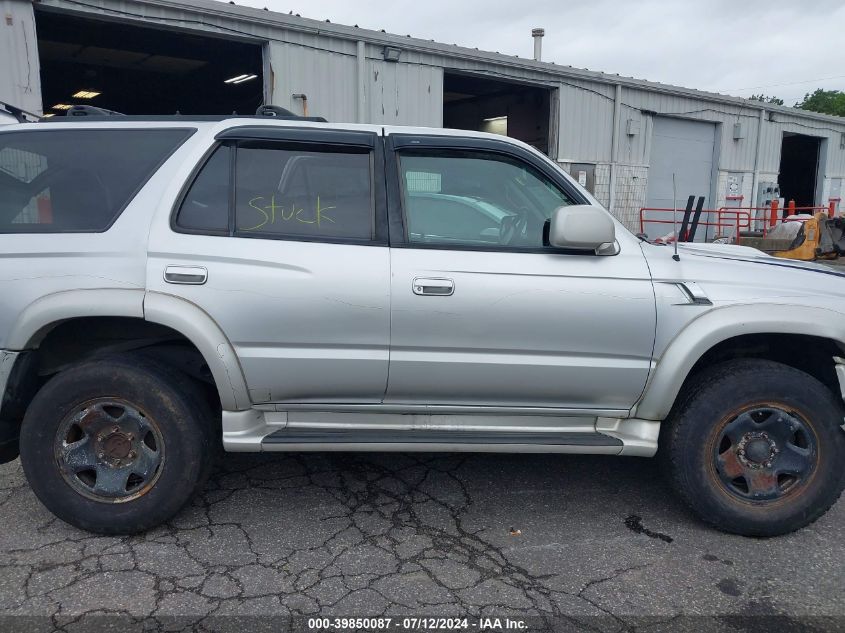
x,y
476,199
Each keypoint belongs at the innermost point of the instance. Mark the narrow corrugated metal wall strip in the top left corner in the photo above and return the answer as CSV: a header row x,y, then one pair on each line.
x,y
20,75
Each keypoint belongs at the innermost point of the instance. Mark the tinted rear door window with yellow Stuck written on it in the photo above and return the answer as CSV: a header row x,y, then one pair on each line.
x,y
307,194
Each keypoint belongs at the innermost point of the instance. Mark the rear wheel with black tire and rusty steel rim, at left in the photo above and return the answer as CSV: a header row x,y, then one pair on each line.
x,y
117,445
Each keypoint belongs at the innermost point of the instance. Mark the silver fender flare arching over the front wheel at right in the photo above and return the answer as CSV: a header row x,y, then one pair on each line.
x,y
718,325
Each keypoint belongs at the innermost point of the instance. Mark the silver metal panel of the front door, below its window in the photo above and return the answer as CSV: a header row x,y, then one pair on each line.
x,y
521,329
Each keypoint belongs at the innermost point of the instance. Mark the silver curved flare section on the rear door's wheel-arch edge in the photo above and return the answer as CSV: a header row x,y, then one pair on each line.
x,y
198,327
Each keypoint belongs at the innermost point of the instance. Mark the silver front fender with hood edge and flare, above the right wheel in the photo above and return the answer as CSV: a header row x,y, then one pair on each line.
x,y
749,292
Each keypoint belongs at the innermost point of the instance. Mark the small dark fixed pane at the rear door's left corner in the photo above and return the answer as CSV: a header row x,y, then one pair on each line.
x,y
206,205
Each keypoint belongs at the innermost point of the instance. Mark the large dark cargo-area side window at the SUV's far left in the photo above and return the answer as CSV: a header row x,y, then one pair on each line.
x,y
76,180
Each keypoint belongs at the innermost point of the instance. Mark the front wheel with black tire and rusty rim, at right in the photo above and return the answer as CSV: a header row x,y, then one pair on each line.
x,y
755,448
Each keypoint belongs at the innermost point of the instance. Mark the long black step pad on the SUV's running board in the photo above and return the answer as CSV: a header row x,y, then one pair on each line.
x,y
337,439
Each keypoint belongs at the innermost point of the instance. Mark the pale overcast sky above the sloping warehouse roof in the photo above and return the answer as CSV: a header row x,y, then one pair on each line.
x,y
784,48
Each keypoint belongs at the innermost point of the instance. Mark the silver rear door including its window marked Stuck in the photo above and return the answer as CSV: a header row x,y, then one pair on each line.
x,y
281,239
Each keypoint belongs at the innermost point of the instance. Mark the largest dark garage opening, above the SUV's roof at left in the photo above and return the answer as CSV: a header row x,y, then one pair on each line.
x,y
142,70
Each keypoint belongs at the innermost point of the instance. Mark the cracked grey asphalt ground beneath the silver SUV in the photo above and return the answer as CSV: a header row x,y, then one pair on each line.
x,y
594,543
